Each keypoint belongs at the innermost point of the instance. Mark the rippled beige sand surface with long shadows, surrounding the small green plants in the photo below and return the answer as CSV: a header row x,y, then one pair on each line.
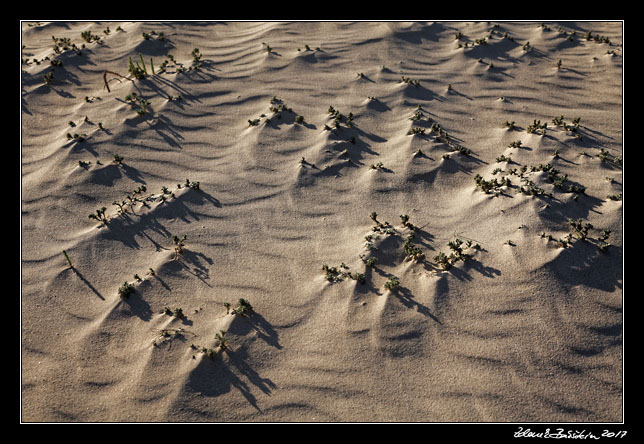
x,y
527,327
